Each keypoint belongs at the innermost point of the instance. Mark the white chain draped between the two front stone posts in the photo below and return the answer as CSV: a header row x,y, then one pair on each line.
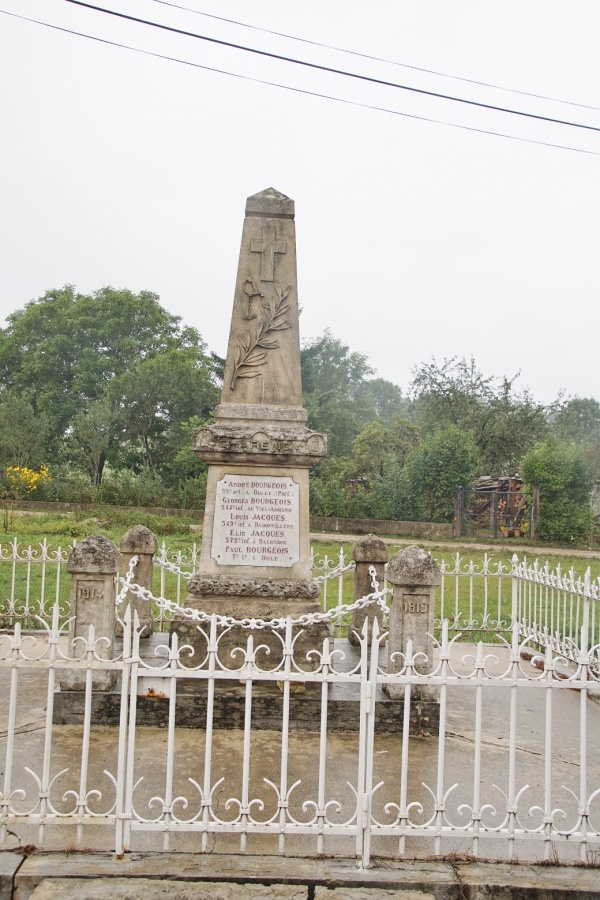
x,y
376,597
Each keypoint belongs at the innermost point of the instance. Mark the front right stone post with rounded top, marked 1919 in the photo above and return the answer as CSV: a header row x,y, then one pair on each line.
x,y
413,575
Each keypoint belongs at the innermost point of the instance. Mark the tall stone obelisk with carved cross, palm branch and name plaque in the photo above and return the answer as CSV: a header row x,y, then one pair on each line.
x,y
255,560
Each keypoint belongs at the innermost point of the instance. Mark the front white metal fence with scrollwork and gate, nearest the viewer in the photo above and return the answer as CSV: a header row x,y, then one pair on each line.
x,y
515,771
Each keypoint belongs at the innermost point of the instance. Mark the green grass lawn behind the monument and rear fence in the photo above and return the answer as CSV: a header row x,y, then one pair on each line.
x,y
470,596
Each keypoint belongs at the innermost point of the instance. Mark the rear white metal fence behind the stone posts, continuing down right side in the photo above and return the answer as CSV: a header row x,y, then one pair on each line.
x,y
479,599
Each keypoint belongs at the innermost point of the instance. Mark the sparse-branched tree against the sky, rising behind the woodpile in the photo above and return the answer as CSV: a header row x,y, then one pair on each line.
x,y
504,423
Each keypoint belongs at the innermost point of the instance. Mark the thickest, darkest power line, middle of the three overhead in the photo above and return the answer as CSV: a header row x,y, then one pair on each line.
x,y
330,70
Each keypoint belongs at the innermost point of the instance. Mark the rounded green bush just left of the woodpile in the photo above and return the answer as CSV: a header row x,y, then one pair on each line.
x,y
434,472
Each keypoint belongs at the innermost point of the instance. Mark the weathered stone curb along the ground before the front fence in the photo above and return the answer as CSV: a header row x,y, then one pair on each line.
x,y
154,876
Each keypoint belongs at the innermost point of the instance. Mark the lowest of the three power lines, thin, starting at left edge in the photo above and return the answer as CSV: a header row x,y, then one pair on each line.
x,y
296,90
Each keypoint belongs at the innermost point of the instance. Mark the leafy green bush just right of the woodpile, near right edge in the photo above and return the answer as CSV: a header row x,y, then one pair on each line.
x,y
561,473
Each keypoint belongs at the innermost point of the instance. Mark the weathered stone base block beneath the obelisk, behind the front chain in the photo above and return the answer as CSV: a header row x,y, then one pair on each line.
x,y
268,642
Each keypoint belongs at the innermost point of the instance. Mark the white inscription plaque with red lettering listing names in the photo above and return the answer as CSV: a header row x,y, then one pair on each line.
x,y
257,521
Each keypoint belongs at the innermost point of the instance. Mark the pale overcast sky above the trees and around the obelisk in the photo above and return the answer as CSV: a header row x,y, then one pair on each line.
x,y
415,239
